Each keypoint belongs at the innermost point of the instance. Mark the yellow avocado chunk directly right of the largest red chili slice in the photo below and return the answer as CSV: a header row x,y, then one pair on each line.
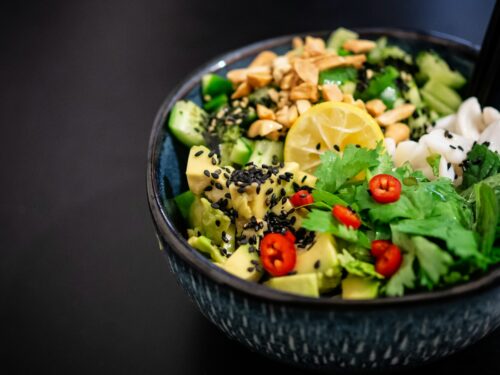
x,y
322,259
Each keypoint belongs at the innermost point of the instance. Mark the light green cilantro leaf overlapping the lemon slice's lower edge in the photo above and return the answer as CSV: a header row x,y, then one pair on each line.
x,y
335,169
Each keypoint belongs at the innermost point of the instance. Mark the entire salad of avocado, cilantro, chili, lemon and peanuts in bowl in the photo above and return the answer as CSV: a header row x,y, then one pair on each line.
x,y
344,168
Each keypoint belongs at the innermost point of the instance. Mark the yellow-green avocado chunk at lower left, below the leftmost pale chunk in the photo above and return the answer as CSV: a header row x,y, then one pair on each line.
x,y
212,223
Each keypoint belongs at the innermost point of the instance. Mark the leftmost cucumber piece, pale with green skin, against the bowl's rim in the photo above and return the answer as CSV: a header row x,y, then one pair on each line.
x,y
187,122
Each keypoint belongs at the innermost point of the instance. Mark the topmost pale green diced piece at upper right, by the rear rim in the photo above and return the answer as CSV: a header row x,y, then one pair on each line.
x,y
432,66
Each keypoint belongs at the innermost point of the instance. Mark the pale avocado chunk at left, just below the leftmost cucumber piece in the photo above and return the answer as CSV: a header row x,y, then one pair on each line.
x,y
199,168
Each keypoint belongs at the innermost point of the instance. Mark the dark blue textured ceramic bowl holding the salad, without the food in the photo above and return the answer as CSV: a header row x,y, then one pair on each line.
x,y
329,334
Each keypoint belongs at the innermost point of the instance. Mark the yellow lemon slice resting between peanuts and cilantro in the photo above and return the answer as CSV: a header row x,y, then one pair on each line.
x,y
327,126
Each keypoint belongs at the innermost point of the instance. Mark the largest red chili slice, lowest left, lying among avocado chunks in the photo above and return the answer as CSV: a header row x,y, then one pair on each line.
x,y
278,254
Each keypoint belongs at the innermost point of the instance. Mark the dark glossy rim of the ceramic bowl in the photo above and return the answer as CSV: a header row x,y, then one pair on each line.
x,y
178,244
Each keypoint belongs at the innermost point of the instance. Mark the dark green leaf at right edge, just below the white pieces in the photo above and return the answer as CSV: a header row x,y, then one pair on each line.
x,y
481,163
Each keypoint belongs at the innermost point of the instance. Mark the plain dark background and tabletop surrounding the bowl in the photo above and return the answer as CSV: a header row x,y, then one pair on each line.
x,y
83,286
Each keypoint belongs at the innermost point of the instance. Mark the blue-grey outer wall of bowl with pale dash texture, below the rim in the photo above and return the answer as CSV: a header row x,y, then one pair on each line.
x,y
379,338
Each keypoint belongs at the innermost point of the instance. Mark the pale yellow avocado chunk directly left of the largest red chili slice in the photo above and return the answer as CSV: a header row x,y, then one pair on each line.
x,y
244,264
